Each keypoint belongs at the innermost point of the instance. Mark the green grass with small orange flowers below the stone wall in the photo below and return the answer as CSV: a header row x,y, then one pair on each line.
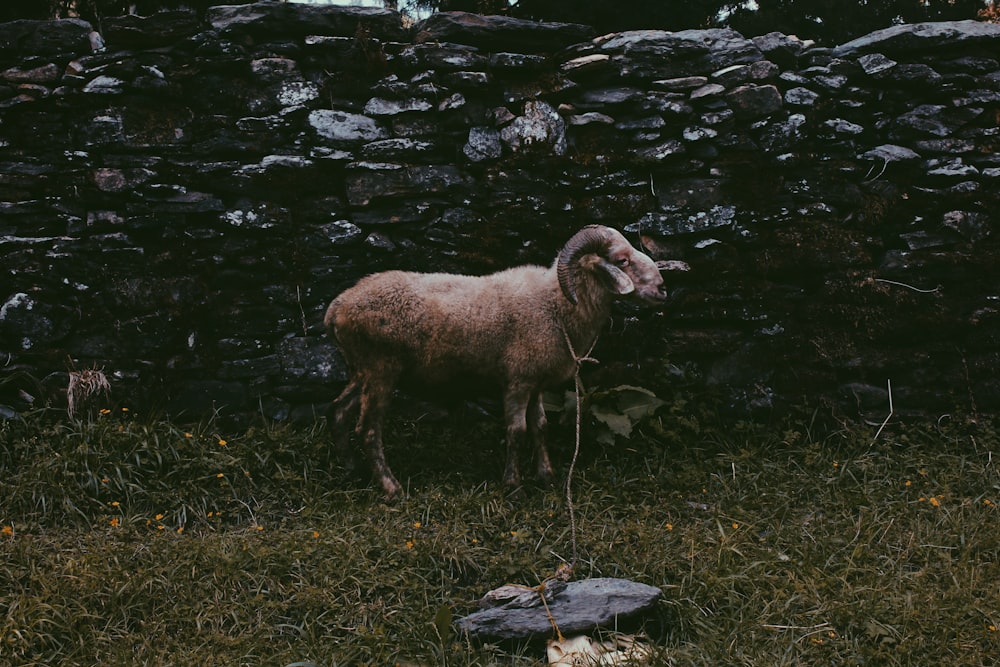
x,y
131,543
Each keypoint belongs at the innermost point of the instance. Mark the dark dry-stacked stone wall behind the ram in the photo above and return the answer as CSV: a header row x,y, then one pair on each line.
x,y
180,199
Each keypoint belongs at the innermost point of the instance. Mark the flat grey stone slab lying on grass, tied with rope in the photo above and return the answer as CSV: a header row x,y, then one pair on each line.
x,y
513,612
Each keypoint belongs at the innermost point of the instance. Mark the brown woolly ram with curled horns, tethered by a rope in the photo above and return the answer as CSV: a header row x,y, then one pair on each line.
x,y
523,328
